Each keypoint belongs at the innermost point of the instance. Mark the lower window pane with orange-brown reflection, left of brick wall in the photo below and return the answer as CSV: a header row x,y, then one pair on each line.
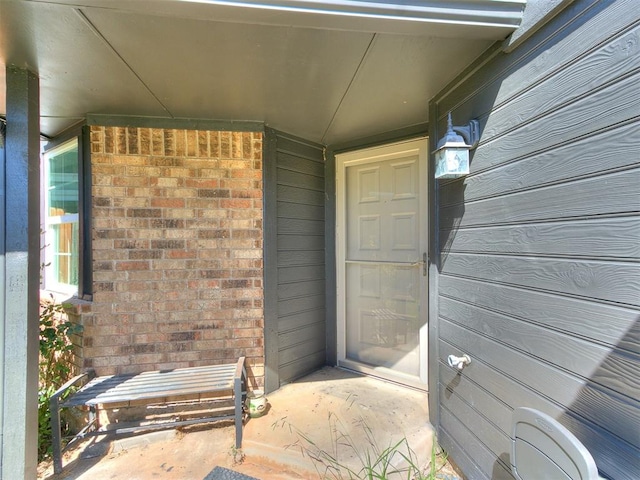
x,y
64,250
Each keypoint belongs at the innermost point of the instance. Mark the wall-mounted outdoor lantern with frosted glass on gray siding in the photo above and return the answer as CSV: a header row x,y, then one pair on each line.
x,y
452,154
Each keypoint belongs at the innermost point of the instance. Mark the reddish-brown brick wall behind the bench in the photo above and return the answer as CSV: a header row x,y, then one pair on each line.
x,y
177,250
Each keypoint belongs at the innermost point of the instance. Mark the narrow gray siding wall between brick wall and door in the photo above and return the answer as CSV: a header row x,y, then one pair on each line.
x,y
295,195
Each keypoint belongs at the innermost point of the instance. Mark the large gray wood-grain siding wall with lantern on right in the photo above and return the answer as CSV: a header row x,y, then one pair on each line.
x,y
538,249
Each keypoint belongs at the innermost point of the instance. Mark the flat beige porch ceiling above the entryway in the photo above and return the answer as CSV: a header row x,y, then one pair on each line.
x,y
330,71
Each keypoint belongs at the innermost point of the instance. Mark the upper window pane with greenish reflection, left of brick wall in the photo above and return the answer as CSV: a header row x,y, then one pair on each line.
x,y
62,188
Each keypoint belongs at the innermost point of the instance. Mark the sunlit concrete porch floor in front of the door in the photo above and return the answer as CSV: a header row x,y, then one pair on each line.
x,y
330,412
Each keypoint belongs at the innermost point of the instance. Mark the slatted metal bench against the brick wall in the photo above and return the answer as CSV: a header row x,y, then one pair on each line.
x,y
157,387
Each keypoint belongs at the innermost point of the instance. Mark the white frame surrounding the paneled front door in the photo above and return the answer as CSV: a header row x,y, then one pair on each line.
x,y
364,156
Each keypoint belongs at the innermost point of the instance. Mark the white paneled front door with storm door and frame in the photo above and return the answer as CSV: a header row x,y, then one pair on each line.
x,y
382,244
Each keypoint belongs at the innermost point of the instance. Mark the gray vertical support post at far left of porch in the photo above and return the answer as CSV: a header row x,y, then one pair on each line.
x,y
21,276
